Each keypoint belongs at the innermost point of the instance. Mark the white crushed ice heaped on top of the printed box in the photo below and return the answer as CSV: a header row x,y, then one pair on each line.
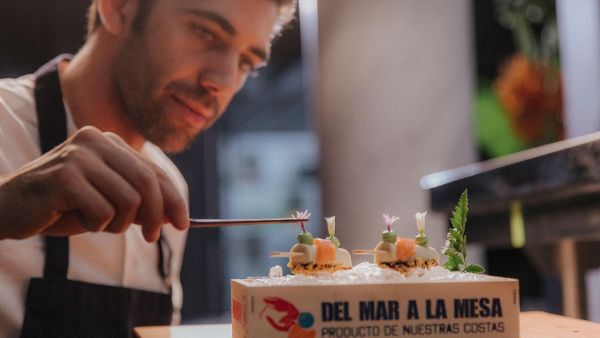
x,y
368,273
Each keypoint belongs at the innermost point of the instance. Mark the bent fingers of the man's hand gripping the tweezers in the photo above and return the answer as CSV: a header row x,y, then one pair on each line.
x,y
137,188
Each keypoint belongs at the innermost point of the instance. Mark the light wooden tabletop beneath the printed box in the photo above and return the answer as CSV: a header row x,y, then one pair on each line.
x,y
533,325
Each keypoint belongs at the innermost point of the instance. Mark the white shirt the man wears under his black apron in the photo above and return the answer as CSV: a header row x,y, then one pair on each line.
x,y
102,258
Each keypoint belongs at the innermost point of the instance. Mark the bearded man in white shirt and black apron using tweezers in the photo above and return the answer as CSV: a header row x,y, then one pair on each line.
x,y
152,74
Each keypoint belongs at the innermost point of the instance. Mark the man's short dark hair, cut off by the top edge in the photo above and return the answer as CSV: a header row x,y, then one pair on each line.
x,y
287,11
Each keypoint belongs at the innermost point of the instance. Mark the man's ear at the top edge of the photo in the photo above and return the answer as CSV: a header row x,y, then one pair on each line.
x,y
117,15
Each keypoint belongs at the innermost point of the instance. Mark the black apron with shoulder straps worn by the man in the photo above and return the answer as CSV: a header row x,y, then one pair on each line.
x,y
58,307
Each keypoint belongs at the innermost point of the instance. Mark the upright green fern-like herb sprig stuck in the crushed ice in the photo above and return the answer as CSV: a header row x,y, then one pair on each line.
x,y
456,243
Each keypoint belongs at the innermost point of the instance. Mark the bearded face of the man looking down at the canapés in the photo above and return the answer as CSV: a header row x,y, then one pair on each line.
x,y
176,75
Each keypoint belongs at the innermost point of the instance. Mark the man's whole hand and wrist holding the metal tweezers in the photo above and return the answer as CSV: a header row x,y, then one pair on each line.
x,y
92,182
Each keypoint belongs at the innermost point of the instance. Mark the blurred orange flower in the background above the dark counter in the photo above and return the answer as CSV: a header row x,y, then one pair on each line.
x,y
530,93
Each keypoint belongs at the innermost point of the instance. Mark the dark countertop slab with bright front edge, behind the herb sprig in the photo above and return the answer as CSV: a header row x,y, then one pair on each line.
x,y
546,174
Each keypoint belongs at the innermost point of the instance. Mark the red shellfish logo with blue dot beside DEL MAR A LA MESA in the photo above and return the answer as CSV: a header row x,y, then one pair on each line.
x,y
296,324
